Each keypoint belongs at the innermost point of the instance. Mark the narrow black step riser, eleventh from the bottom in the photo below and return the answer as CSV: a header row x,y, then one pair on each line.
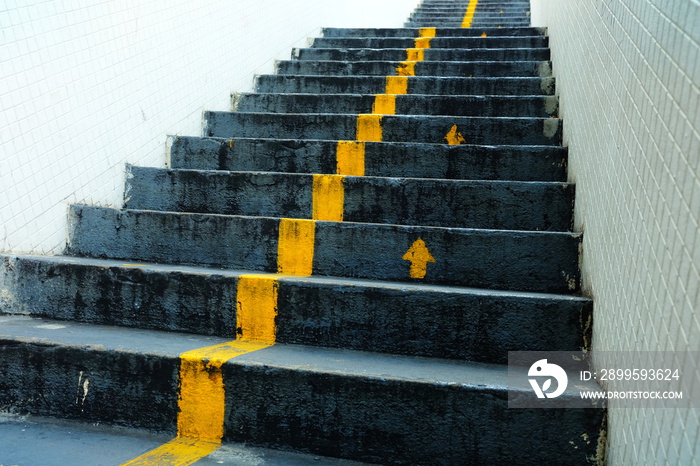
x,y
464,42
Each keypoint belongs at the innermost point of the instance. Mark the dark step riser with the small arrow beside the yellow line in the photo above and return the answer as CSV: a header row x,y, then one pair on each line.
x,y
391,128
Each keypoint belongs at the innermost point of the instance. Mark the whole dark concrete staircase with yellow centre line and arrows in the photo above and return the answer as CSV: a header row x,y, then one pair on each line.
x,y
374,228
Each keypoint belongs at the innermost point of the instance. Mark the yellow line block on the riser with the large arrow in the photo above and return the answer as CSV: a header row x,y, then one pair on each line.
x,y
295,250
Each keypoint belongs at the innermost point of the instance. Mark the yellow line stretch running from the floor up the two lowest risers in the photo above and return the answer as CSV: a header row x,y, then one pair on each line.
x,y
202,395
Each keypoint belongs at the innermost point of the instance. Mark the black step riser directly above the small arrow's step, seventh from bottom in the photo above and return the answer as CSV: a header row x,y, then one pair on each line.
x,y
411,104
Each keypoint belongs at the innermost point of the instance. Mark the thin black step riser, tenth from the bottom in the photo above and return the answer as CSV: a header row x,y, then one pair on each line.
x,y
395,55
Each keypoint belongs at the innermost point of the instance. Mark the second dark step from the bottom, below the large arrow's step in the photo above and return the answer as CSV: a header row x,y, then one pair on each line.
x,y
384,317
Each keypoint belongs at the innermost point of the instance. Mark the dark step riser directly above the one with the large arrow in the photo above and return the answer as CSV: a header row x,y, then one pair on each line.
x,y
498,205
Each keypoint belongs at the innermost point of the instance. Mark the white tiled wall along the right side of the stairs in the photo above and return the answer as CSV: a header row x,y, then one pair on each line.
x,y
628,75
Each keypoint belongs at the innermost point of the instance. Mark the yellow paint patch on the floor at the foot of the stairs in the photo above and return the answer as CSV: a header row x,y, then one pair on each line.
x,y
177,452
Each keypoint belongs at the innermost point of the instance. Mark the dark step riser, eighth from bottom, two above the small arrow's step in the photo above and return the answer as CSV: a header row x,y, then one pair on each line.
x,y
416,85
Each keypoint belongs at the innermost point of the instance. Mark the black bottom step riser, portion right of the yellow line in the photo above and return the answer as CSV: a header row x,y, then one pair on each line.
x,y
423,418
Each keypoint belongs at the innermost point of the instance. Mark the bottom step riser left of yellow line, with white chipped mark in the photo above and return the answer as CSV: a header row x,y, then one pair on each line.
x,y
123,389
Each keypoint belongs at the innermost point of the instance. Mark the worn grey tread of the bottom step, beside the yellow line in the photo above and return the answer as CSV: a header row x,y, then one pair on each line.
x,y
340,362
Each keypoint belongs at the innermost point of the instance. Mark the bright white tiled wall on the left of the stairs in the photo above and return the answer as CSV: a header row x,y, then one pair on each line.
x,y
87,85
